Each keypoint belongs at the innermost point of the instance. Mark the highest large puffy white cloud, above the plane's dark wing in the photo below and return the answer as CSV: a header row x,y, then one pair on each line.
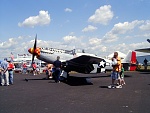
x,y
102,15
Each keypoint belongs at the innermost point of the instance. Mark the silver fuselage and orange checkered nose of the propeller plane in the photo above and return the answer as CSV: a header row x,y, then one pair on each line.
x,y
49,55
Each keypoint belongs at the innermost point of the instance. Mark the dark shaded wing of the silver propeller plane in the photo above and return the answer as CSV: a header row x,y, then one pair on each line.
x,y
82,64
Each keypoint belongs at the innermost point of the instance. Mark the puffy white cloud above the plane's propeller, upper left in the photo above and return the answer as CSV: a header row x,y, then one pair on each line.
x,y
42,19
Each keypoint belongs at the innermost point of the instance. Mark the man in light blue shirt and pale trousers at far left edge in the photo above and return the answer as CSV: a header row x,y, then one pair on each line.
x,y
4,73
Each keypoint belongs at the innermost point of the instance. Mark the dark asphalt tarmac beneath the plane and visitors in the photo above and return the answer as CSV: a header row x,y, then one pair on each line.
x,y
82,93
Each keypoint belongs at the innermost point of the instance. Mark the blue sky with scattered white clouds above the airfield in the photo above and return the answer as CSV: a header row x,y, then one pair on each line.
x,y
98,26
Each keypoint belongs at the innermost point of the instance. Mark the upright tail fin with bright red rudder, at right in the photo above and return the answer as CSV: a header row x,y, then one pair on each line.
x,y
130,60
